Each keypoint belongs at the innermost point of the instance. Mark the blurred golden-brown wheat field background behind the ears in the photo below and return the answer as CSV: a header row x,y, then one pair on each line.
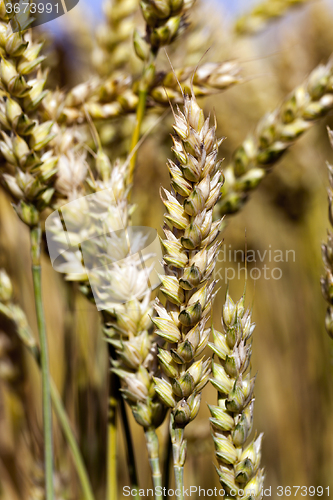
x,y
292,353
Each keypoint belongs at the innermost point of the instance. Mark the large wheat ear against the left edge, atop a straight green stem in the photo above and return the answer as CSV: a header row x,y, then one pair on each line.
x,y
28,167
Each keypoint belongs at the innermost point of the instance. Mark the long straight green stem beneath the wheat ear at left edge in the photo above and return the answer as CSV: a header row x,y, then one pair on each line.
x,y
35,237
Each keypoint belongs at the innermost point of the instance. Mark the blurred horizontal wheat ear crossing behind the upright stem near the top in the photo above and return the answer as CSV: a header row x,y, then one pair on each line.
x,y
118,95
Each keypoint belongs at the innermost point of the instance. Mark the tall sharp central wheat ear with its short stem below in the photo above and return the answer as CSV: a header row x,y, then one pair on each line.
x,y
190,254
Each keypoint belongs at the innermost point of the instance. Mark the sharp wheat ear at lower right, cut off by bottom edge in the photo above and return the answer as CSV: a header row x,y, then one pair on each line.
x,y
231,421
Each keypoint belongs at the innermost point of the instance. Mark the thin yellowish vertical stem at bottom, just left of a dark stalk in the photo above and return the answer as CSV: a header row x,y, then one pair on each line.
x,y
112,486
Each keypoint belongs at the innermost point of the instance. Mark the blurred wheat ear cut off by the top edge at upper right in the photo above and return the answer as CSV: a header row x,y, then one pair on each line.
x,y
264,13
